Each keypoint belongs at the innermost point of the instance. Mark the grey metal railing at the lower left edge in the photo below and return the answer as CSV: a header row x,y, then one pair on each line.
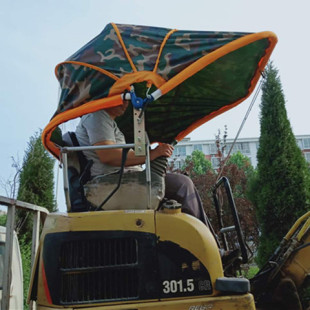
x,y
39,213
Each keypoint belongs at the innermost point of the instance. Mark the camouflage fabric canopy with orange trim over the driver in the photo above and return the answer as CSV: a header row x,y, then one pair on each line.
x,y
196,76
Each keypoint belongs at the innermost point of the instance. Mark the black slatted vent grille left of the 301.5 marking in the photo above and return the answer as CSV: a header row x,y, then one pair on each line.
x,y
94,270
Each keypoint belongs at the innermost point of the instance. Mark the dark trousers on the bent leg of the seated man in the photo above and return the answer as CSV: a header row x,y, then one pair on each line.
x,y
182,189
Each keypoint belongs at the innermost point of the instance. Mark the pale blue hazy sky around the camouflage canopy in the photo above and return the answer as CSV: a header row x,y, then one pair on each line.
x,y
37,35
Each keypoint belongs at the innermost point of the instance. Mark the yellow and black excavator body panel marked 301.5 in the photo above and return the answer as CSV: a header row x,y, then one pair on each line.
x,y
132,259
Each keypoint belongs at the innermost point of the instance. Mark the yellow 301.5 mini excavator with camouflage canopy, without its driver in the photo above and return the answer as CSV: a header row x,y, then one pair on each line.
x,y
122,244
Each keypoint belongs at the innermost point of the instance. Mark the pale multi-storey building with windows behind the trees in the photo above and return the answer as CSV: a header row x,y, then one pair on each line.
x,y
247,146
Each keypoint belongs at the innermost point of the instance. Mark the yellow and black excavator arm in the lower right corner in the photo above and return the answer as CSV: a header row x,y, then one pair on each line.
x,y
281,281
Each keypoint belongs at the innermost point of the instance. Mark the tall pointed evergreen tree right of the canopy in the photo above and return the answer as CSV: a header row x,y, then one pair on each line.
x,y
282,183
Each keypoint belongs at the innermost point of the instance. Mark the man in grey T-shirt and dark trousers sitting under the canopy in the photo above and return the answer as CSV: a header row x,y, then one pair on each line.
x,y
100,128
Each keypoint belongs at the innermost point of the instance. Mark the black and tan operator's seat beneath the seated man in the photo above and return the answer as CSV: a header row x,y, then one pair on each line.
x,y
88,193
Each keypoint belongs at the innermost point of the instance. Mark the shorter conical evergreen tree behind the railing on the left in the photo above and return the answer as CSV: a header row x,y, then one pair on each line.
x,y
36,182
